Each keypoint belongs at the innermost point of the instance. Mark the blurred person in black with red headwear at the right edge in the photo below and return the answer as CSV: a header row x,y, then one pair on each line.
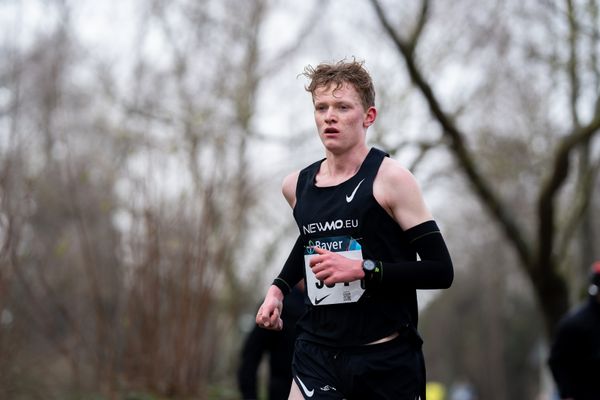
x,y
575,353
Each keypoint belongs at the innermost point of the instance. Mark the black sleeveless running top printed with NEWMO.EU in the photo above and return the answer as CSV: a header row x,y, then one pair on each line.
x,y
349,209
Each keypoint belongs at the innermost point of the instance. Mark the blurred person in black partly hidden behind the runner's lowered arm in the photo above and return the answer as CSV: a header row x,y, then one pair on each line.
x,y
278,345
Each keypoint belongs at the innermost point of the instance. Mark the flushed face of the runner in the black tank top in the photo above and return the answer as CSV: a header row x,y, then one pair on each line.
x,y
340,117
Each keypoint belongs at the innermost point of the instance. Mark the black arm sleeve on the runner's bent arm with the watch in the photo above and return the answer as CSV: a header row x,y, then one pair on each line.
x,y
433,271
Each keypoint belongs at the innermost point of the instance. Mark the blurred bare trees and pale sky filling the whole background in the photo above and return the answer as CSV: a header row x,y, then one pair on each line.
x,y
142,145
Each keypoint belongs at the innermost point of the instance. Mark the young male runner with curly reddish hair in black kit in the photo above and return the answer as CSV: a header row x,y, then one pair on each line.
x,y
362,222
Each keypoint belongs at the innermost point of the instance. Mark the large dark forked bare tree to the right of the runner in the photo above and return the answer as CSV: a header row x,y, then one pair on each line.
x,y
538,73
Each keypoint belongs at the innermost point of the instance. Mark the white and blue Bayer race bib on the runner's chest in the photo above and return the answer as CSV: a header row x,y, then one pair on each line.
x,y
321,294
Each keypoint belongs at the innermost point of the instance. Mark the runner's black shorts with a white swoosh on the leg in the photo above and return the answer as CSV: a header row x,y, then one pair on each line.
x,y
391,370
